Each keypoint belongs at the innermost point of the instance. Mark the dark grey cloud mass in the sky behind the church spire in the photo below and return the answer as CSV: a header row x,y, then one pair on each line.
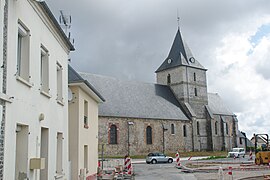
x,y
130,39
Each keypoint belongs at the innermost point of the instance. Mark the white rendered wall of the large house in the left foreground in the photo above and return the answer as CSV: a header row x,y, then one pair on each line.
x,y
28,103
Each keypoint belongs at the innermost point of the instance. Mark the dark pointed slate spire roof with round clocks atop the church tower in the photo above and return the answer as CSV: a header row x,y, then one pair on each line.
x,y
180,55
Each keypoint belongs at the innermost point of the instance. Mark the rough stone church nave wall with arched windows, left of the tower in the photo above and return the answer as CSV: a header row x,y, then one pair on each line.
x,y
137,136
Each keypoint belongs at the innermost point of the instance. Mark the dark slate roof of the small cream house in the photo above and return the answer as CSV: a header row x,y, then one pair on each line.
x,y
74,77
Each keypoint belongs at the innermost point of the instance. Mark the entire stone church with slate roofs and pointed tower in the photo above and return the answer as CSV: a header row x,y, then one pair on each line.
x,y
175,113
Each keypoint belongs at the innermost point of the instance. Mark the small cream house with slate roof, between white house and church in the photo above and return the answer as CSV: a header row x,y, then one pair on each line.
x,y
83,126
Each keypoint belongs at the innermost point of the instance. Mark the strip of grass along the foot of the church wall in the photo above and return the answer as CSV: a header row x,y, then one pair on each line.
x,y
211,154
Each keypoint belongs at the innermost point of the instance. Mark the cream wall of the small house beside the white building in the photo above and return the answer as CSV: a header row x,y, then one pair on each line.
x,y
80,136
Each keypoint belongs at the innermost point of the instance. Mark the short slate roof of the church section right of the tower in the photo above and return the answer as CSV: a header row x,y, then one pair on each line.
x,y
217,106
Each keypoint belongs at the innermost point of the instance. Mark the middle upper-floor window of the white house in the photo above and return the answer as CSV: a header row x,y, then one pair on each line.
x,y
44,69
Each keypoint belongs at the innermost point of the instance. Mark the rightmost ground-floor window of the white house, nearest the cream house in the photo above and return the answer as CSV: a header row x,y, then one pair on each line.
x,y
59,154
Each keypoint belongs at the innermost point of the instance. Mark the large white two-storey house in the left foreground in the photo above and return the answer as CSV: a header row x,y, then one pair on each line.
x,y
36,129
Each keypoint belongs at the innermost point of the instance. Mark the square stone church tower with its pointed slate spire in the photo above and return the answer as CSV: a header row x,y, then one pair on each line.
x,y
185,76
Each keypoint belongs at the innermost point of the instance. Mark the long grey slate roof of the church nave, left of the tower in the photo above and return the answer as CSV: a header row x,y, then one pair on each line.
x,y
135,99
